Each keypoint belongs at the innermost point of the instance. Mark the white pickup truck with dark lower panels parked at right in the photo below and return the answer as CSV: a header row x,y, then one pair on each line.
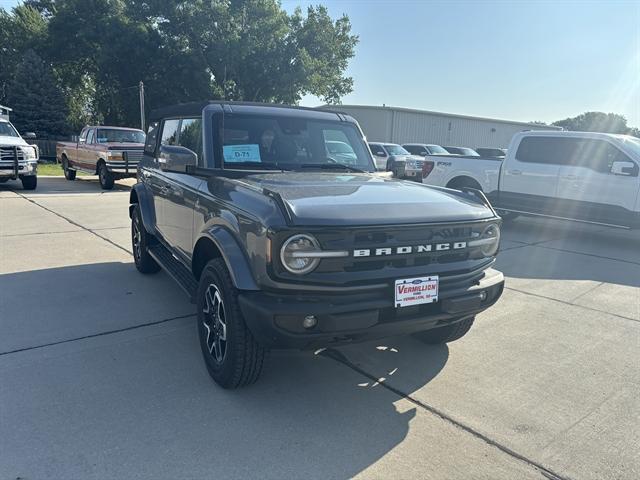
x,y
584,176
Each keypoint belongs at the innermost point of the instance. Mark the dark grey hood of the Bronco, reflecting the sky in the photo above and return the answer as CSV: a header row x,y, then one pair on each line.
x,y
322,198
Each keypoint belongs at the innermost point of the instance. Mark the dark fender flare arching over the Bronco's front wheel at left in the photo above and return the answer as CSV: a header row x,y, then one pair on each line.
x,y
233,256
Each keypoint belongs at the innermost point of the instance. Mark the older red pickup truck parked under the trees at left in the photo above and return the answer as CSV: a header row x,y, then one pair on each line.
x,y
109,152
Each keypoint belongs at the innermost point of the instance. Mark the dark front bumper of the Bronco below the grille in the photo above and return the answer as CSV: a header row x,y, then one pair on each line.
x,y
275,320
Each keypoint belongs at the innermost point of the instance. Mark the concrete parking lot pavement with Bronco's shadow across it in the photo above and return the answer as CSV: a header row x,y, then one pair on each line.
x,y
101,374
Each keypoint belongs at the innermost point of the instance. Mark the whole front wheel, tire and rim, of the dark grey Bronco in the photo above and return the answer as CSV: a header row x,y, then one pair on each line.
x,y
232,356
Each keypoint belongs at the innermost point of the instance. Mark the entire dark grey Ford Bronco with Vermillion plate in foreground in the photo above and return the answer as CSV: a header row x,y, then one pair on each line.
x,y
280,247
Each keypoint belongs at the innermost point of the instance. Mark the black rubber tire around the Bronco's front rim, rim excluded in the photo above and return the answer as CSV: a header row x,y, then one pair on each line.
x,y
244,357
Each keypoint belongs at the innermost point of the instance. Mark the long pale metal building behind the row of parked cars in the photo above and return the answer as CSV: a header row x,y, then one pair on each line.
x,y
404,125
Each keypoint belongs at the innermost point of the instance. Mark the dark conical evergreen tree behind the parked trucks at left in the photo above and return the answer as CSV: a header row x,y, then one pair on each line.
x,y
37,102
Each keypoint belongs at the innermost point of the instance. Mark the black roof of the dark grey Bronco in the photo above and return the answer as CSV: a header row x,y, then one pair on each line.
x,y
195,108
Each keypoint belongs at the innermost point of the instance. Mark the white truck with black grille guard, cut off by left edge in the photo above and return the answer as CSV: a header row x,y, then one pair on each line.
x,y
18,159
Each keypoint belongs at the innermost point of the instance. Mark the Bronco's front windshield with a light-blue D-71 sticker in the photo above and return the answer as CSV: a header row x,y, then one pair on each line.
x,y
289,143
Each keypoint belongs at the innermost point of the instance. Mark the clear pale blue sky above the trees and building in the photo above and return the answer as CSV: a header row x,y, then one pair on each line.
x,y
515,60
